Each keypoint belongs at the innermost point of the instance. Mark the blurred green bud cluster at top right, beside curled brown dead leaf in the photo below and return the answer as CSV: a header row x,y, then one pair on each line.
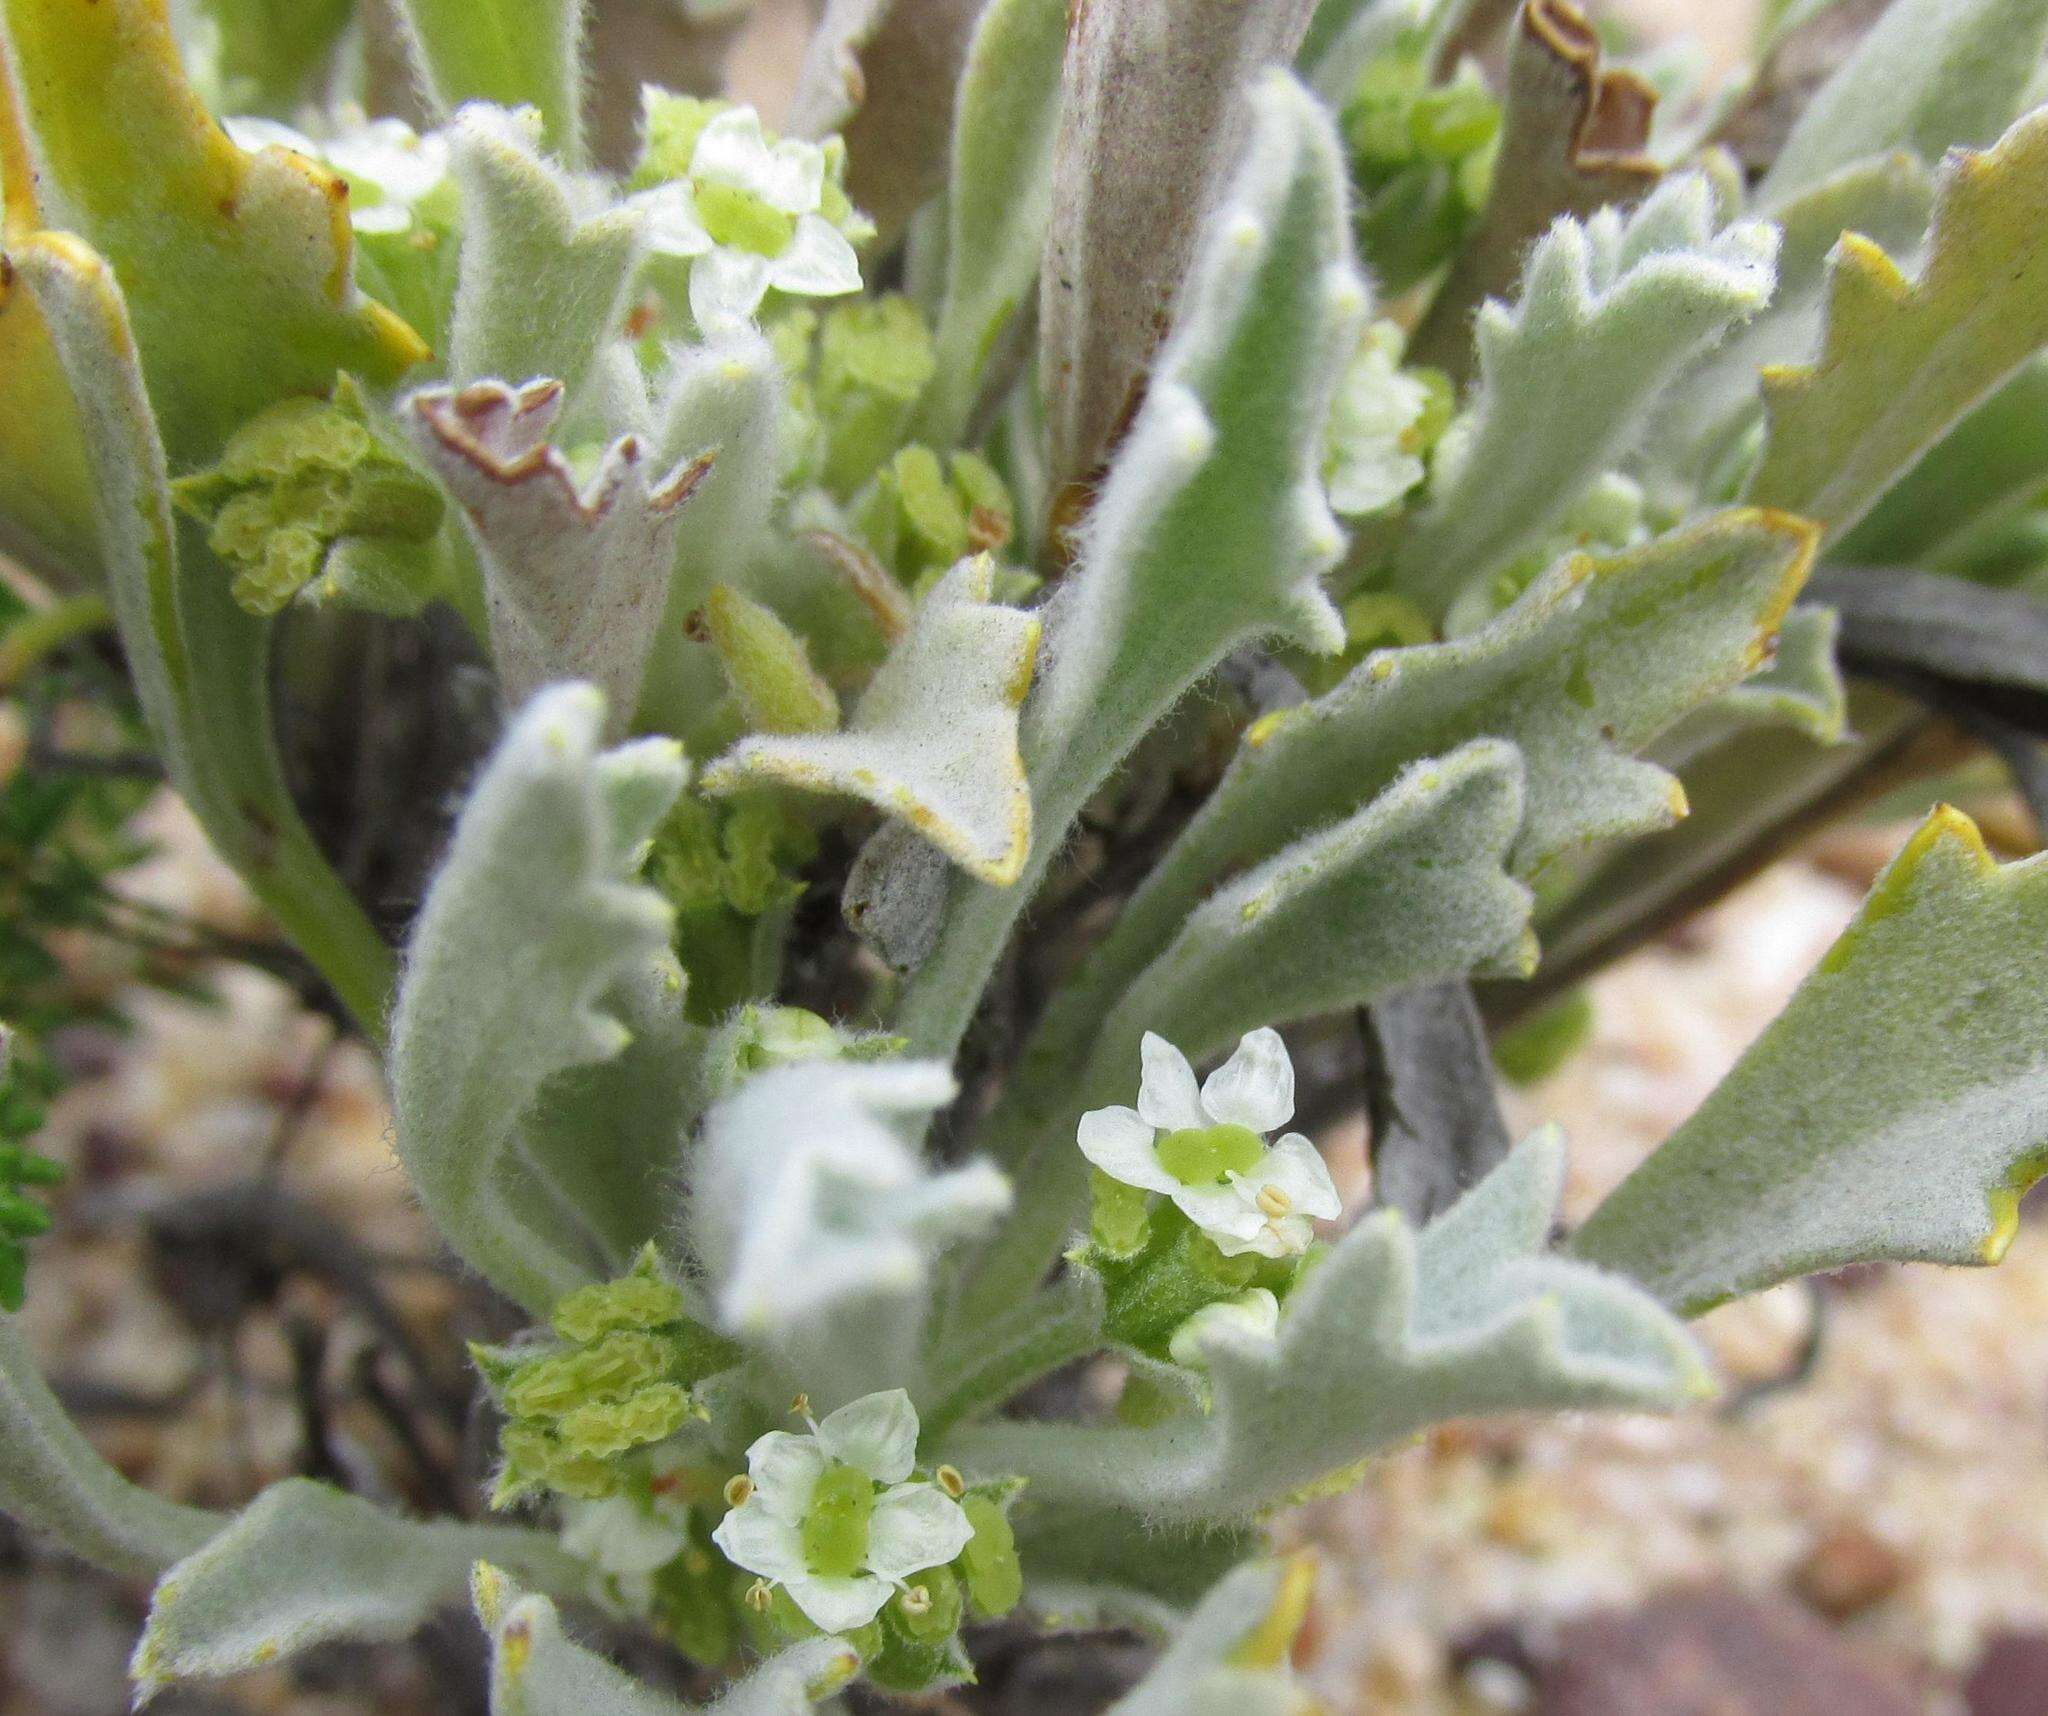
x,y
1422,161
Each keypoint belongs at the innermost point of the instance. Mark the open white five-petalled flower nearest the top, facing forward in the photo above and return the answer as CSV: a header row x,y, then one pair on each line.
x,y
749,218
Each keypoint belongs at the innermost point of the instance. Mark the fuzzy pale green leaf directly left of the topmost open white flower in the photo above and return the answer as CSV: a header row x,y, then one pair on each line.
x,y
546,261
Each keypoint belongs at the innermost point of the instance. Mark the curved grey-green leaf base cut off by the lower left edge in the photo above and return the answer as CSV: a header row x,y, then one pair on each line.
x,y
56,1482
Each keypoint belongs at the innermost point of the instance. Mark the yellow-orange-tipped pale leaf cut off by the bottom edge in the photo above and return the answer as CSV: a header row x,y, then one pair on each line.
x,y
1226,1660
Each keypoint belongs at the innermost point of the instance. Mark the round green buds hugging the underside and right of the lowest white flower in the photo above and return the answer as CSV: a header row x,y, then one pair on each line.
x,y
914,1643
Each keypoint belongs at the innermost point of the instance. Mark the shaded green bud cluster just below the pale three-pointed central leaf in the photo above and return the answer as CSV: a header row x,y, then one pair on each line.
x,y
730,869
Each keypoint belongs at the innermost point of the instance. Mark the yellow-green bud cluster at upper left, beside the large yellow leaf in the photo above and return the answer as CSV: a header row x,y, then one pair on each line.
x,y
292,484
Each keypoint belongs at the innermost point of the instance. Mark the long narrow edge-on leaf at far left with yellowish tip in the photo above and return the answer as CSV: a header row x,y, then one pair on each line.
x,y
200,662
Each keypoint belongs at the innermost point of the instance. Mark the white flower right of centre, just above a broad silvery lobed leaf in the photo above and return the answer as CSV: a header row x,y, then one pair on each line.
x,y
1207,1150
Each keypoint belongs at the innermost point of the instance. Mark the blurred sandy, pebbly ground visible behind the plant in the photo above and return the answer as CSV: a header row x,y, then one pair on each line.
x,y
239,1289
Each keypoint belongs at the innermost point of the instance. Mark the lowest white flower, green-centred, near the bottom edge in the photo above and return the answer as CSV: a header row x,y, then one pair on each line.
x,y
835,1516
